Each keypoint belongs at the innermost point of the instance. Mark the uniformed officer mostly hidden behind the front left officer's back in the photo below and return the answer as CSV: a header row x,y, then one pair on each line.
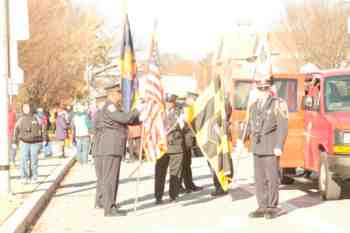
x,y
97,127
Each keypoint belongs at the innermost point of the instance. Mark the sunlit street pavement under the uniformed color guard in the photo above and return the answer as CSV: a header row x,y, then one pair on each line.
x,y
72,207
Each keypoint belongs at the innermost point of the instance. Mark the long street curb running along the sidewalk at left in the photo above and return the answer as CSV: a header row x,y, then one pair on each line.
x,y
32,207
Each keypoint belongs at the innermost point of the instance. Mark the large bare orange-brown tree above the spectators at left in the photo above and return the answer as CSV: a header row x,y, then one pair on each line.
x,y
63,40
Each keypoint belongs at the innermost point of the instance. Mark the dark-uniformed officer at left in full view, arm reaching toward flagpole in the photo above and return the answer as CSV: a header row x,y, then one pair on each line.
x,y
112,146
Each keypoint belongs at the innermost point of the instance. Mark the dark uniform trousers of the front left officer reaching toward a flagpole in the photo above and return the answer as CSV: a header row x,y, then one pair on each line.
x,y
110,180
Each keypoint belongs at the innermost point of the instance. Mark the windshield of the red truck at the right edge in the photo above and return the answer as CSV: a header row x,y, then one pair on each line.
x,y
337,94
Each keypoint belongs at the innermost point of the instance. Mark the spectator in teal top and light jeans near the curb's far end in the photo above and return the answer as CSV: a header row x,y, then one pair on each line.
x,y
81,126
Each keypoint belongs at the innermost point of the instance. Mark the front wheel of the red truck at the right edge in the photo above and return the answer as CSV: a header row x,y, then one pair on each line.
x,y
329,189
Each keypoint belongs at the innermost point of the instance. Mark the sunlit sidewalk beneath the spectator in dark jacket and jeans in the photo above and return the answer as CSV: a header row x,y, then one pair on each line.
x,y
20,192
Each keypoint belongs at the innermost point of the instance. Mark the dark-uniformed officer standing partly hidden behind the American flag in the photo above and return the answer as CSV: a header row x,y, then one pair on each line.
x,y
174,155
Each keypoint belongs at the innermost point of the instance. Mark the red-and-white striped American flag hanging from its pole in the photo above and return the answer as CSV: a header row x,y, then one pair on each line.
x,y
154,133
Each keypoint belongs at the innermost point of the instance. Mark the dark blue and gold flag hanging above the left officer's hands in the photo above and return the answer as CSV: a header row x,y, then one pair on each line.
x,y
128,68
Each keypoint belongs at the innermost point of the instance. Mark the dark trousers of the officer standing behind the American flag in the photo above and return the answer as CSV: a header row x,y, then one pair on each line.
x,y
174,162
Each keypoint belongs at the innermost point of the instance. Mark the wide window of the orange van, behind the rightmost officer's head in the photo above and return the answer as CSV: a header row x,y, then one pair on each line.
x,y
286,89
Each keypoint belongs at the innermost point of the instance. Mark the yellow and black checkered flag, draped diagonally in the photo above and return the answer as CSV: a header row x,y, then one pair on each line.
x,y
207,117
